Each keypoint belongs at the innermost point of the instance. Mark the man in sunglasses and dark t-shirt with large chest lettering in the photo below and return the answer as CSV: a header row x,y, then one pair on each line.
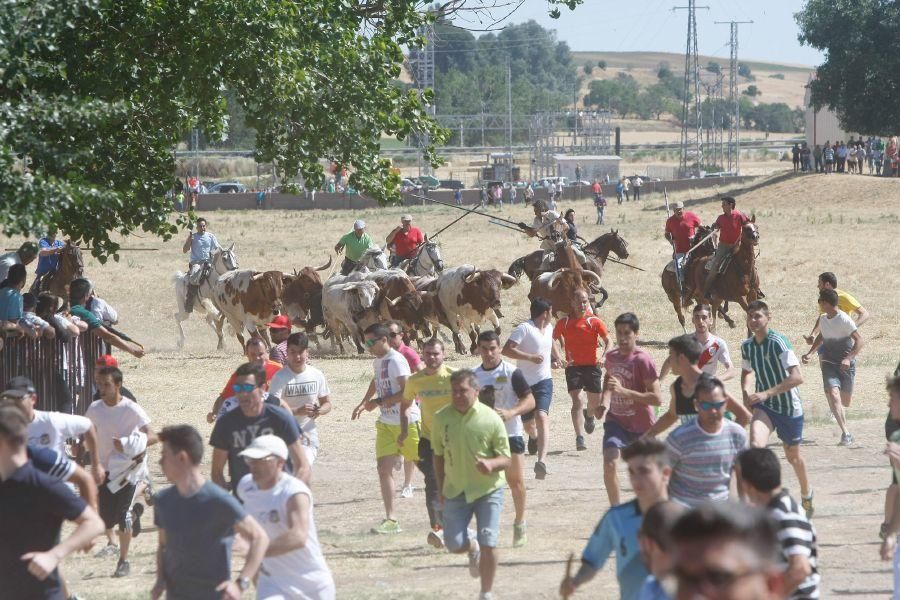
x,y
235,430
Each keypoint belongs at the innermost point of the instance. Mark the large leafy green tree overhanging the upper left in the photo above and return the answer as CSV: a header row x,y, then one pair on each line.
x,y
94,95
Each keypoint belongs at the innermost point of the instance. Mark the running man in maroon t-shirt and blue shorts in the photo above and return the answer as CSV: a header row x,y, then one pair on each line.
x,y
630,392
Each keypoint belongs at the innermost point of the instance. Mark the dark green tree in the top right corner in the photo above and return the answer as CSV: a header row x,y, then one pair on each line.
x,y
860,78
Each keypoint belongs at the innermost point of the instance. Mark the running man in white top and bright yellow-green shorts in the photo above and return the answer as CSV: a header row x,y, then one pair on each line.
x,y
386,392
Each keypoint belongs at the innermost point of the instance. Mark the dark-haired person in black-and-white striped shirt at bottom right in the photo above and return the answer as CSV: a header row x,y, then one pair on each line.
x,y
796,535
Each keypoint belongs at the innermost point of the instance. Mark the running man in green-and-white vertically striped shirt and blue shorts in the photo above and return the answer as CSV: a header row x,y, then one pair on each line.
x,y
770,362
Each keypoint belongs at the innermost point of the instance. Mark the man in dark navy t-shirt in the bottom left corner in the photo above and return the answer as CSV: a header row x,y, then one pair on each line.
x,y
32,509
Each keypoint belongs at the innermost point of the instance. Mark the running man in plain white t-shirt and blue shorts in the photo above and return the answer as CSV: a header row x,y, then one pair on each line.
x,y
531,345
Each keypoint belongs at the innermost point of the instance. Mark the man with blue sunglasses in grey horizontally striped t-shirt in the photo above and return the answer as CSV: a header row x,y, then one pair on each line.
x,y
703,452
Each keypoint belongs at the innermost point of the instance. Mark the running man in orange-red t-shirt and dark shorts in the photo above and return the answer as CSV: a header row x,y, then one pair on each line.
x,y
580,334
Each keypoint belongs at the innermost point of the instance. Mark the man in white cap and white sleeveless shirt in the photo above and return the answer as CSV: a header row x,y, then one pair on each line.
x,y
294,566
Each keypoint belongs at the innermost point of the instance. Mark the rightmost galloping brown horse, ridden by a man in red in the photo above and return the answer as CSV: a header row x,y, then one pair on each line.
x,y
740,280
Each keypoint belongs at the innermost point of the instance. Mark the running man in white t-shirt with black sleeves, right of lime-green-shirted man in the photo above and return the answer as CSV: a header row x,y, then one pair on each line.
x,y
504,388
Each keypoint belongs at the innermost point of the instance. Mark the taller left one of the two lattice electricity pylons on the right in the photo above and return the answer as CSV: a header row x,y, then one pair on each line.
x,y
691,135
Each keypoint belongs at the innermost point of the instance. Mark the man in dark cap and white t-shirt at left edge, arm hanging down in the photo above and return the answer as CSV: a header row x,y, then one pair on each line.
x,y
47,429
